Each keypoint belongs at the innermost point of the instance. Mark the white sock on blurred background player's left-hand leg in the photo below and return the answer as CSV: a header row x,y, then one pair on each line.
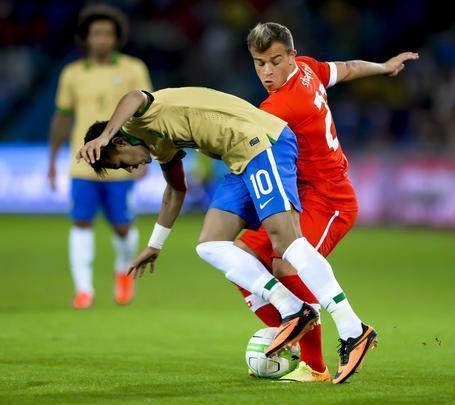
x,y
82,250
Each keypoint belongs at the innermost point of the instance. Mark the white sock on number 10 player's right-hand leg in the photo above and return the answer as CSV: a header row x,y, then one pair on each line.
x,y
317,274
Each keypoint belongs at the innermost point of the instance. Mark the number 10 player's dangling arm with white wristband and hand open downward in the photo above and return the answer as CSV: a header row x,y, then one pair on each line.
x,y
173,197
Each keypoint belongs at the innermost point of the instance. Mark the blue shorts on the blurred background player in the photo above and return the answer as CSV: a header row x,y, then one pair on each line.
x,y
114,197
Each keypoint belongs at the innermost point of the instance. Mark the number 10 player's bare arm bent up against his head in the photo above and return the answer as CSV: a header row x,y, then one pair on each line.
x,y
126,108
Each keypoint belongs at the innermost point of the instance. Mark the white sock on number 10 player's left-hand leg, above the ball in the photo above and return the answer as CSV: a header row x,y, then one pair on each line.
x,y
249,273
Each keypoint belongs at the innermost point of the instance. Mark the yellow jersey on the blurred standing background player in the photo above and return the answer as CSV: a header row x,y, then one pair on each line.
x,y
90,92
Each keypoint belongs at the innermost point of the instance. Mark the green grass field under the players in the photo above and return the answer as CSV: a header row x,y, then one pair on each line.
x,y
183,339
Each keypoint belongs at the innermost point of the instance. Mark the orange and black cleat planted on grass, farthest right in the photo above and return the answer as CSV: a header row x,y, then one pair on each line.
x,y
352,353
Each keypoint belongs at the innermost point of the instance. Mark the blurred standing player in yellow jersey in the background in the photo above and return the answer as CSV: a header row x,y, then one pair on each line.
x,y
88,90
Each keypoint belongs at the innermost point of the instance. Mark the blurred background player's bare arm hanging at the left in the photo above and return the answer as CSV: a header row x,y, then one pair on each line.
x,y
60,127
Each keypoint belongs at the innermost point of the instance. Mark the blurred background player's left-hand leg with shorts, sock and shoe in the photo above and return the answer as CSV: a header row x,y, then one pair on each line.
x,y
84,204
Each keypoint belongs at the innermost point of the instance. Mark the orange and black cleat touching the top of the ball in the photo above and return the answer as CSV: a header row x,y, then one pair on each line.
x,y
292,329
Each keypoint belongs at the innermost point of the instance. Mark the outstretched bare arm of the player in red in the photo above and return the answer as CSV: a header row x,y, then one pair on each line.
x,y
356,69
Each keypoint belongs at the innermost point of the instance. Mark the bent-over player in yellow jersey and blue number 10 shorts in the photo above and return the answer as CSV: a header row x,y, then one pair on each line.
x,y
261,152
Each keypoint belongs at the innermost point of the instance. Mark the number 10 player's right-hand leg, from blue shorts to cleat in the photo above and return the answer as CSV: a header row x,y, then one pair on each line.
x,y
312,267
